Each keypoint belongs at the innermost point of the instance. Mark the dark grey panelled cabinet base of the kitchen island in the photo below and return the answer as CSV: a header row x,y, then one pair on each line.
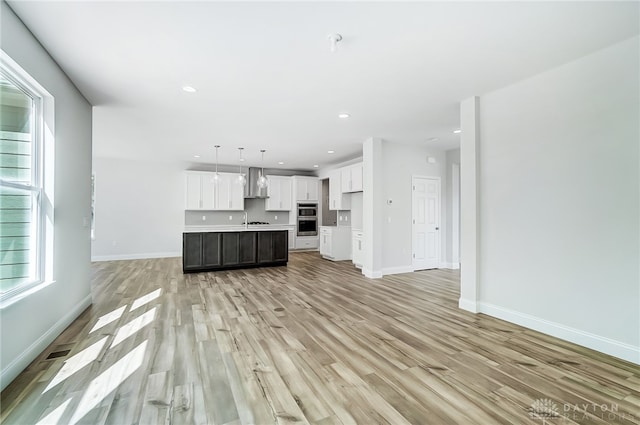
x,y
210,251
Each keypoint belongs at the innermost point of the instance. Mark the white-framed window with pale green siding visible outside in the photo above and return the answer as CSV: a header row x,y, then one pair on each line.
x,y
23,222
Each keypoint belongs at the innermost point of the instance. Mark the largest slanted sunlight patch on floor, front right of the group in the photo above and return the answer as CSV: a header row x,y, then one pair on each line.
x,y
109,380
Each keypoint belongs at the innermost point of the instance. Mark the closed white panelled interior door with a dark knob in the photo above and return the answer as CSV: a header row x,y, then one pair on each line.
x,y
426,223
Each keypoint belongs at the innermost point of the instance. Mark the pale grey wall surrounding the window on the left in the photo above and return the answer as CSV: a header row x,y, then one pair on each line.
x,y
31,324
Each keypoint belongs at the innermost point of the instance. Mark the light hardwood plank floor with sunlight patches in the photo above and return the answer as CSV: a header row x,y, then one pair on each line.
x,y
314,342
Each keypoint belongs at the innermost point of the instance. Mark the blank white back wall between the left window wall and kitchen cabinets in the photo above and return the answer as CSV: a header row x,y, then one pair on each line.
x,y
139,209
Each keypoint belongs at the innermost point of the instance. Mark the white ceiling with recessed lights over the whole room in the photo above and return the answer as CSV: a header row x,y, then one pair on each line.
x,y
266,78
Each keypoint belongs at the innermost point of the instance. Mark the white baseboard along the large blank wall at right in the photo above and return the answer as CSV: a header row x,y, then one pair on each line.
x,y
586,339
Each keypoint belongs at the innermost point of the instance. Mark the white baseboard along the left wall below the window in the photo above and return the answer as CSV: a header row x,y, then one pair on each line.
x,y
18,364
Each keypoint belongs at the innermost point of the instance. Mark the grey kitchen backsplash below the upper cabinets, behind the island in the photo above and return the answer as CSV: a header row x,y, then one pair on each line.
x,y
253,207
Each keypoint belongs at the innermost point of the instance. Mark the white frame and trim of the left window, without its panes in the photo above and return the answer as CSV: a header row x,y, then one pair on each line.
x,y
39,258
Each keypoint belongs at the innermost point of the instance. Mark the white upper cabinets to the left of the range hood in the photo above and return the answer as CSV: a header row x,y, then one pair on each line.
x,y
203,192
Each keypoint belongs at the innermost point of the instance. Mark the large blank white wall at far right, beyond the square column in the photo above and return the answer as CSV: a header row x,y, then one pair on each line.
x,y
559,201
